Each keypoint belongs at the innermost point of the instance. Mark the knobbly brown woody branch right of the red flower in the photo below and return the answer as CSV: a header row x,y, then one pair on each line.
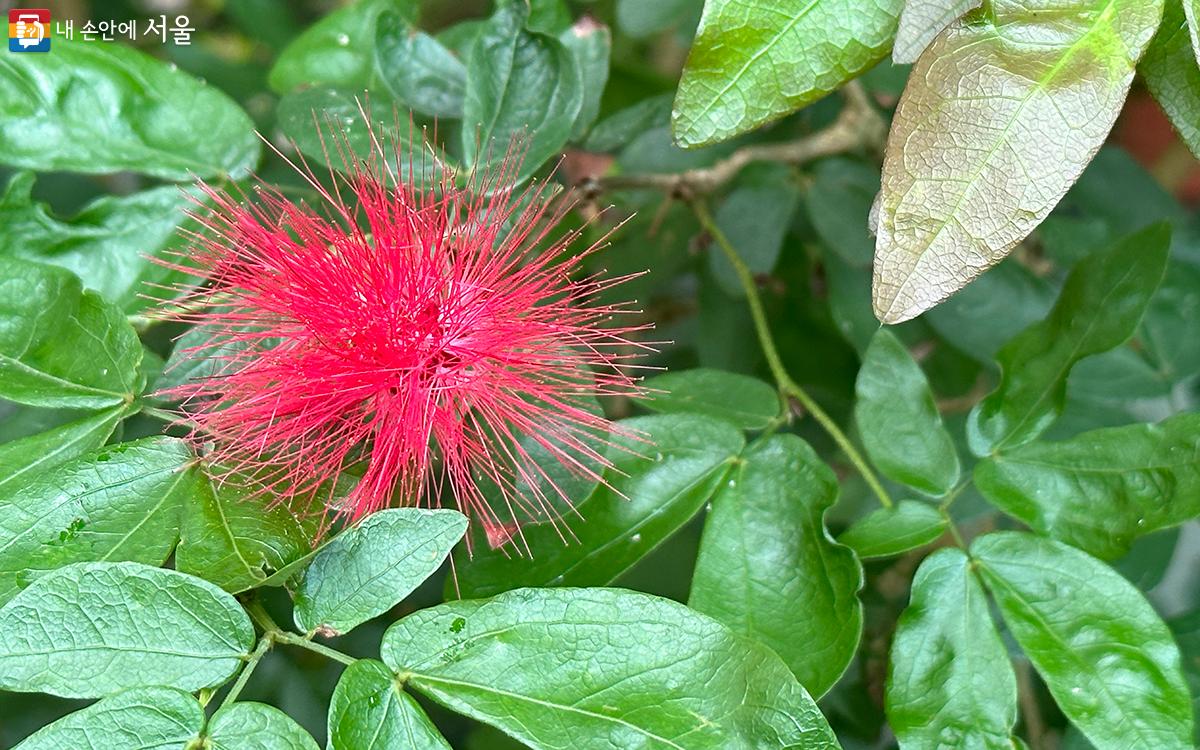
x,y
859,127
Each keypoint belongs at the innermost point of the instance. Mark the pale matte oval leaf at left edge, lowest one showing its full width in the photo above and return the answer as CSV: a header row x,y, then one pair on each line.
x,y
94,629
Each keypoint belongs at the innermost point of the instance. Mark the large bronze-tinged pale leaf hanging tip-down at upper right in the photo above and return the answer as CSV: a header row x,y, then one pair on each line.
x,y
994,103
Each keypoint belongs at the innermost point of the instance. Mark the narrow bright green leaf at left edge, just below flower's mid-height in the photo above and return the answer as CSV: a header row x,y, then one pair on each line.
x,y
40,453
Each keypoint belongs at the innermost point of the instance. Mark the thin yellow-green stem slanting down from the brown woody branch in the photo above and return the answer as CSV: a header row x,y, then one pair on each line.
x,y
783,380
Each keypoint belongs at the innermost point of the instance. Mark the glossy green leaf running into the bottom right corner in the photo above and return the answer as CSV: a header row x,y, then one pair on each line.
x,y
1103,652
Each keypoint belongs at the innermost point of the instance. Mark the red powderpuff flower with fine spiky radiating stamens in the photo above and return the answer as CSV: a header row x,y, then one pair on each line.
x,y
422,331
